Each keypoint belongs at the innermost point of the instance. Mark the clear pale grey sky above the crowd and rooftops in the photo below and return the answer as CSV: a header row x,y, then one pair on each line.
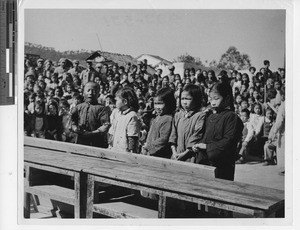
x,y
167,33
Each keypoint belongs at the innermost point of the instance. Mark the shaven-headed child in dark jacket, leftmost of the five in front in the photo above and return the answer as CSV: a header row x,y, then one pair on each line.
x,y
90,119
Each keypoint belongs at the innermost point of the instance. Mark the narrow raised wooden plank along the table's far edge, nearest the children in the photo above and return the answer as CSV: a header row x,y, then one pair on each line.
x,y
167,164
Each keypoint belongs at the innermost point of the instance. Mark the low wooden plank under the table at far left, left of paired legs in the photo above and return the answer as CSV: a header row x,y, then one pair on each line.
x,y
54,192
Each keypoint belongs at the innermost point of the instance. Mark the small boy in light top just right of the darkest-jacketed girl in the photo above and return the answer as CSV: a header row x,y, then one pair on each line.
x,y
248,133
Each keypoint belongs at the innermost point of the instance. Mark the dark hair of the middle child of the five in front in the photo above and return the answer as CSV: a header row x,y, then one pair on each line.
x,y
167,96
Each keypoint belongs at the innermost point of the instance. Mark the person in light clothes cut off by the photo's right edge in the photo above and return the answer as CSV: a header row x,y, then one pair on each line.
x,y
279,130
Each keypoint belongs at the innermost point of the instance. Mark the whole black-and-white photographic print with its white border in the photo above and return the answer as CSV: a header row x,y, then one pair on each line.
x,y
150,112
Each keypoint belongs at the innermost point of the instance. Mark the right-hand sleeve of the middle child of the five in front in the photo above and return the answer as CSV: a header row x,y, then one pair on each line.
x,y
164,134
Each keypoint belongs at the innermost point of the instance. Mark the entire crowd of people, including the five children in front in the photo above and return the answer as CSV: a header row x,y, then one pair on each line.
x,y
201,117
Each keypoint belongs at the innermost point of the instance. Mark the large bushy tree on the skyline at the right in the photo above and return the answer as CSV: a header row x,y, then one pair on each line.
x,y
232,59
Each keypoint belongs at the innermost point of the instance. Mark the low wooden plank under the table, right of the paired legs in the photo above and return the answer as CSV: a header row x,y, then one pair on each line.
x,y
124,210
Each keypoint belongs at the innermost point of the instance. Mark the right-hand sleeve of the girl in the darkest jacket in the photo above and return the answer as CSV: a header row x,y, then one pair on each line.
x,y
232,130
